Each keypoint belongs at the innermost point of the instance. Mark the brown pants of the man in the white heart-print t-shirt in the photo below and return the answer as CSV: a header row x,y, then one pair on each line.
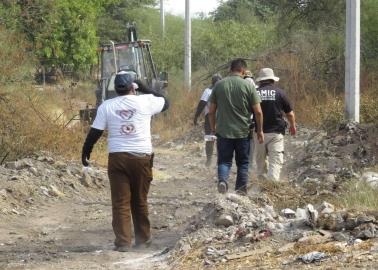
x,y
130,179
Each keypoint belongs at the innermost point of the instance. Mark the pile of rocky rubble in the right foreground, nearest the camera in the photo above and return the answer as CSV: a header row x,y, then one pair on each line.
x,y
232,226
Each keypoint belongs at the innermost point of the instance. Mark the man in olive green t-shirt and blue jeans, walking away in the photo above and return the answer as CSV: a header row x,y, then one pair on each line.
x,y
231,105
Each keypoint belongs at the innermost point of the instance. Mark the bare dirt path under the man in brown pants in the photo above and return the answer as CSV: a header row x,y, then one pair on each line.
x,y
77,234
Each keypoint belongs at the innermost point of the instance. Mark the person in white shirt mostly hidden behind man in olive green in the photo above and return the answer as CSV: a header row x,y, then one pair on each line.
x,y
204,104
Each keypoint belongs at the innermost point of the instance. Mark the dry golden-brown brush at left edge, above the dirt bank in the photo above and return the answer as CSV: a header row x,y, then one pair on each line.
x,y
31,122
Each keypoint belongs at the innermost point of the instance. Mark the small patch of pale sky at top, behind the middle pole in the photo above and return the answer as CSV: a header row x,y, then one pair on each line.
x,y
177,7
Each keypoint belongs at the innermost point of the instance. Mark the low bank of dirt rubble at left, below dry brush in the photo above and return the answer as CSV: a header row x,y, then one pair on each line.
x,y
27,182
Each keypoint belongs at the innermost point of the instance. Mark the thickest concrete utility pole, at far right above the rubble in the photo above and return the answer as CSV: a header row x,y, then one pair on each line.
x,y
352,61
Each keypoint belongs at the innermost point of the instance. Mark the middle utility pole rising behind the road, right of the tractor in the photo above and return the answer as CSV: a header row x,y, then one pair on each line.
x,y
188,47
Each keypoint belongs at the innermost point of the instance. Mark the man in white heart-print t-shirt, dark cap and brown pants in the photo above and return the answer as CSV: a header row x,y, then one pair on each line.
x,y
127,119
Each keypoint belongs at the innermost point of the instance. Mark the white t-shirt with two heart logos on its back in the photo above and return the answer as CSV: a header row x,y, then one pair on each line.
x,y
128,121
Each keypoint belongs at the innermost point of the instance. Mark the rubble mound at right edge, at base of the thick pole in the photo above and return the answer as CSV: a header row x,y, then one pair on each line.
x,y
330,159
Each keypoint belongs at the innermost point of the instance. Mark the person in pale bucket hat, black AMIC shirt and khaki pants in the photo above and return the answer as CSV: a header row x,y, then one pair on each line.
x,y
274,102
